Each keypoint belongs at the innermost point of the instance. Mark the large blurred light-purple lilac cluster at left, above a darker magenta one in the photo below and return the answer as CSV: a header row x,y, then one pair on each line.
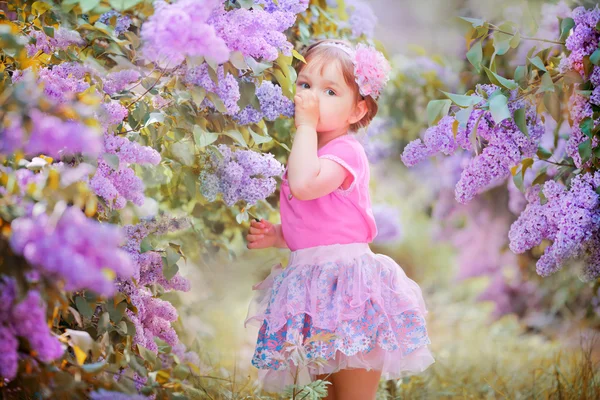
x,y
74,249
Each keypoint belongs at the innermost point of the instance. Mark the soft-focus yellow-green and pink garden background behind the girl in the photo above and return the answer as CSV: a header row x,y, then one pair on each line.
x,y
497,328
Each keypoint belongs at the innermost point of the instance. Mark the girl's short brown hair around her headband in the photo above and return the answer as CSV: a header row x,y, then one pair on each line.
x,y
325,54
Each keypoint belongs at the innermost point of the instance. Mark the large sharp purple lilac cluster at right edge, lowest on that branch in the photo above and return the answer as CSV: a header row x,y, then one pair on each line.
x,y
570,219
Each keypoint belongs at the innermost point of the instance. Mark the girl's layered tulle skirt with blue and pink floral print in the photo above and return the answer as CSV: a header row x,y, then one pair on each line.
x,y
337,307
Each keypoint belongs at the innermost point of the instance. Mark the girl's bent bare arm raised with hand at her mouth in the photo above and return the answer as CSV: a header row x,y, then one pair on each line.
x,y
308,176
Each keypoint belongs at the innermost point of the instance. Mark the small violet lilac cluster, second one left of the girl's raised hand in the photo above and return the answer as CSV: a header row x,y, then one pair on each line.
x,y
227,88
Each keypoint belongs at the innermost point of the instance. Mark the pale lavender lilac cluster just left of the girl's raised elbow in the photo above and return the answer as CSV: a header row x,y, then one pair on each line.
x,y
240,175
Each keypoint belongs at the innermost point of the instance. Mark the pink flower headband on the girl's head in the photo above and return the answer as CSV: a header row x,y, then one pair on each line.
x,y
371,69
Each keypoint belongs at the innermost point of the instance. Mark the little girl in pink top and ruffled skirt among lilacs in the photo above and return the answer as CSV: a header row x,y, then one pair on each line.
x,y
366,317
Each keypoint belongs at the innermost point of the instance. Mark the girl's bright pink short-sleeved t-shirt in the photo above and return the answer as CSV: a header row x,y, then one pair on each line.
x,y
340,217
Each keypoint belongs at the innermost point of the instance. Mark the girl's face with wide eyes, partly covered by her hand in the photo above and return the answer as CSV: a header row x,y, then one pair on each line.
x,y
338,108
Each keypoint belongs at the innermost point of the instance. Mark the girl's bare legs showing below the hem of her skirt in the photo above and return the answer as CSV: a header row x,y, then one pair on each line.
x,y
356,384
